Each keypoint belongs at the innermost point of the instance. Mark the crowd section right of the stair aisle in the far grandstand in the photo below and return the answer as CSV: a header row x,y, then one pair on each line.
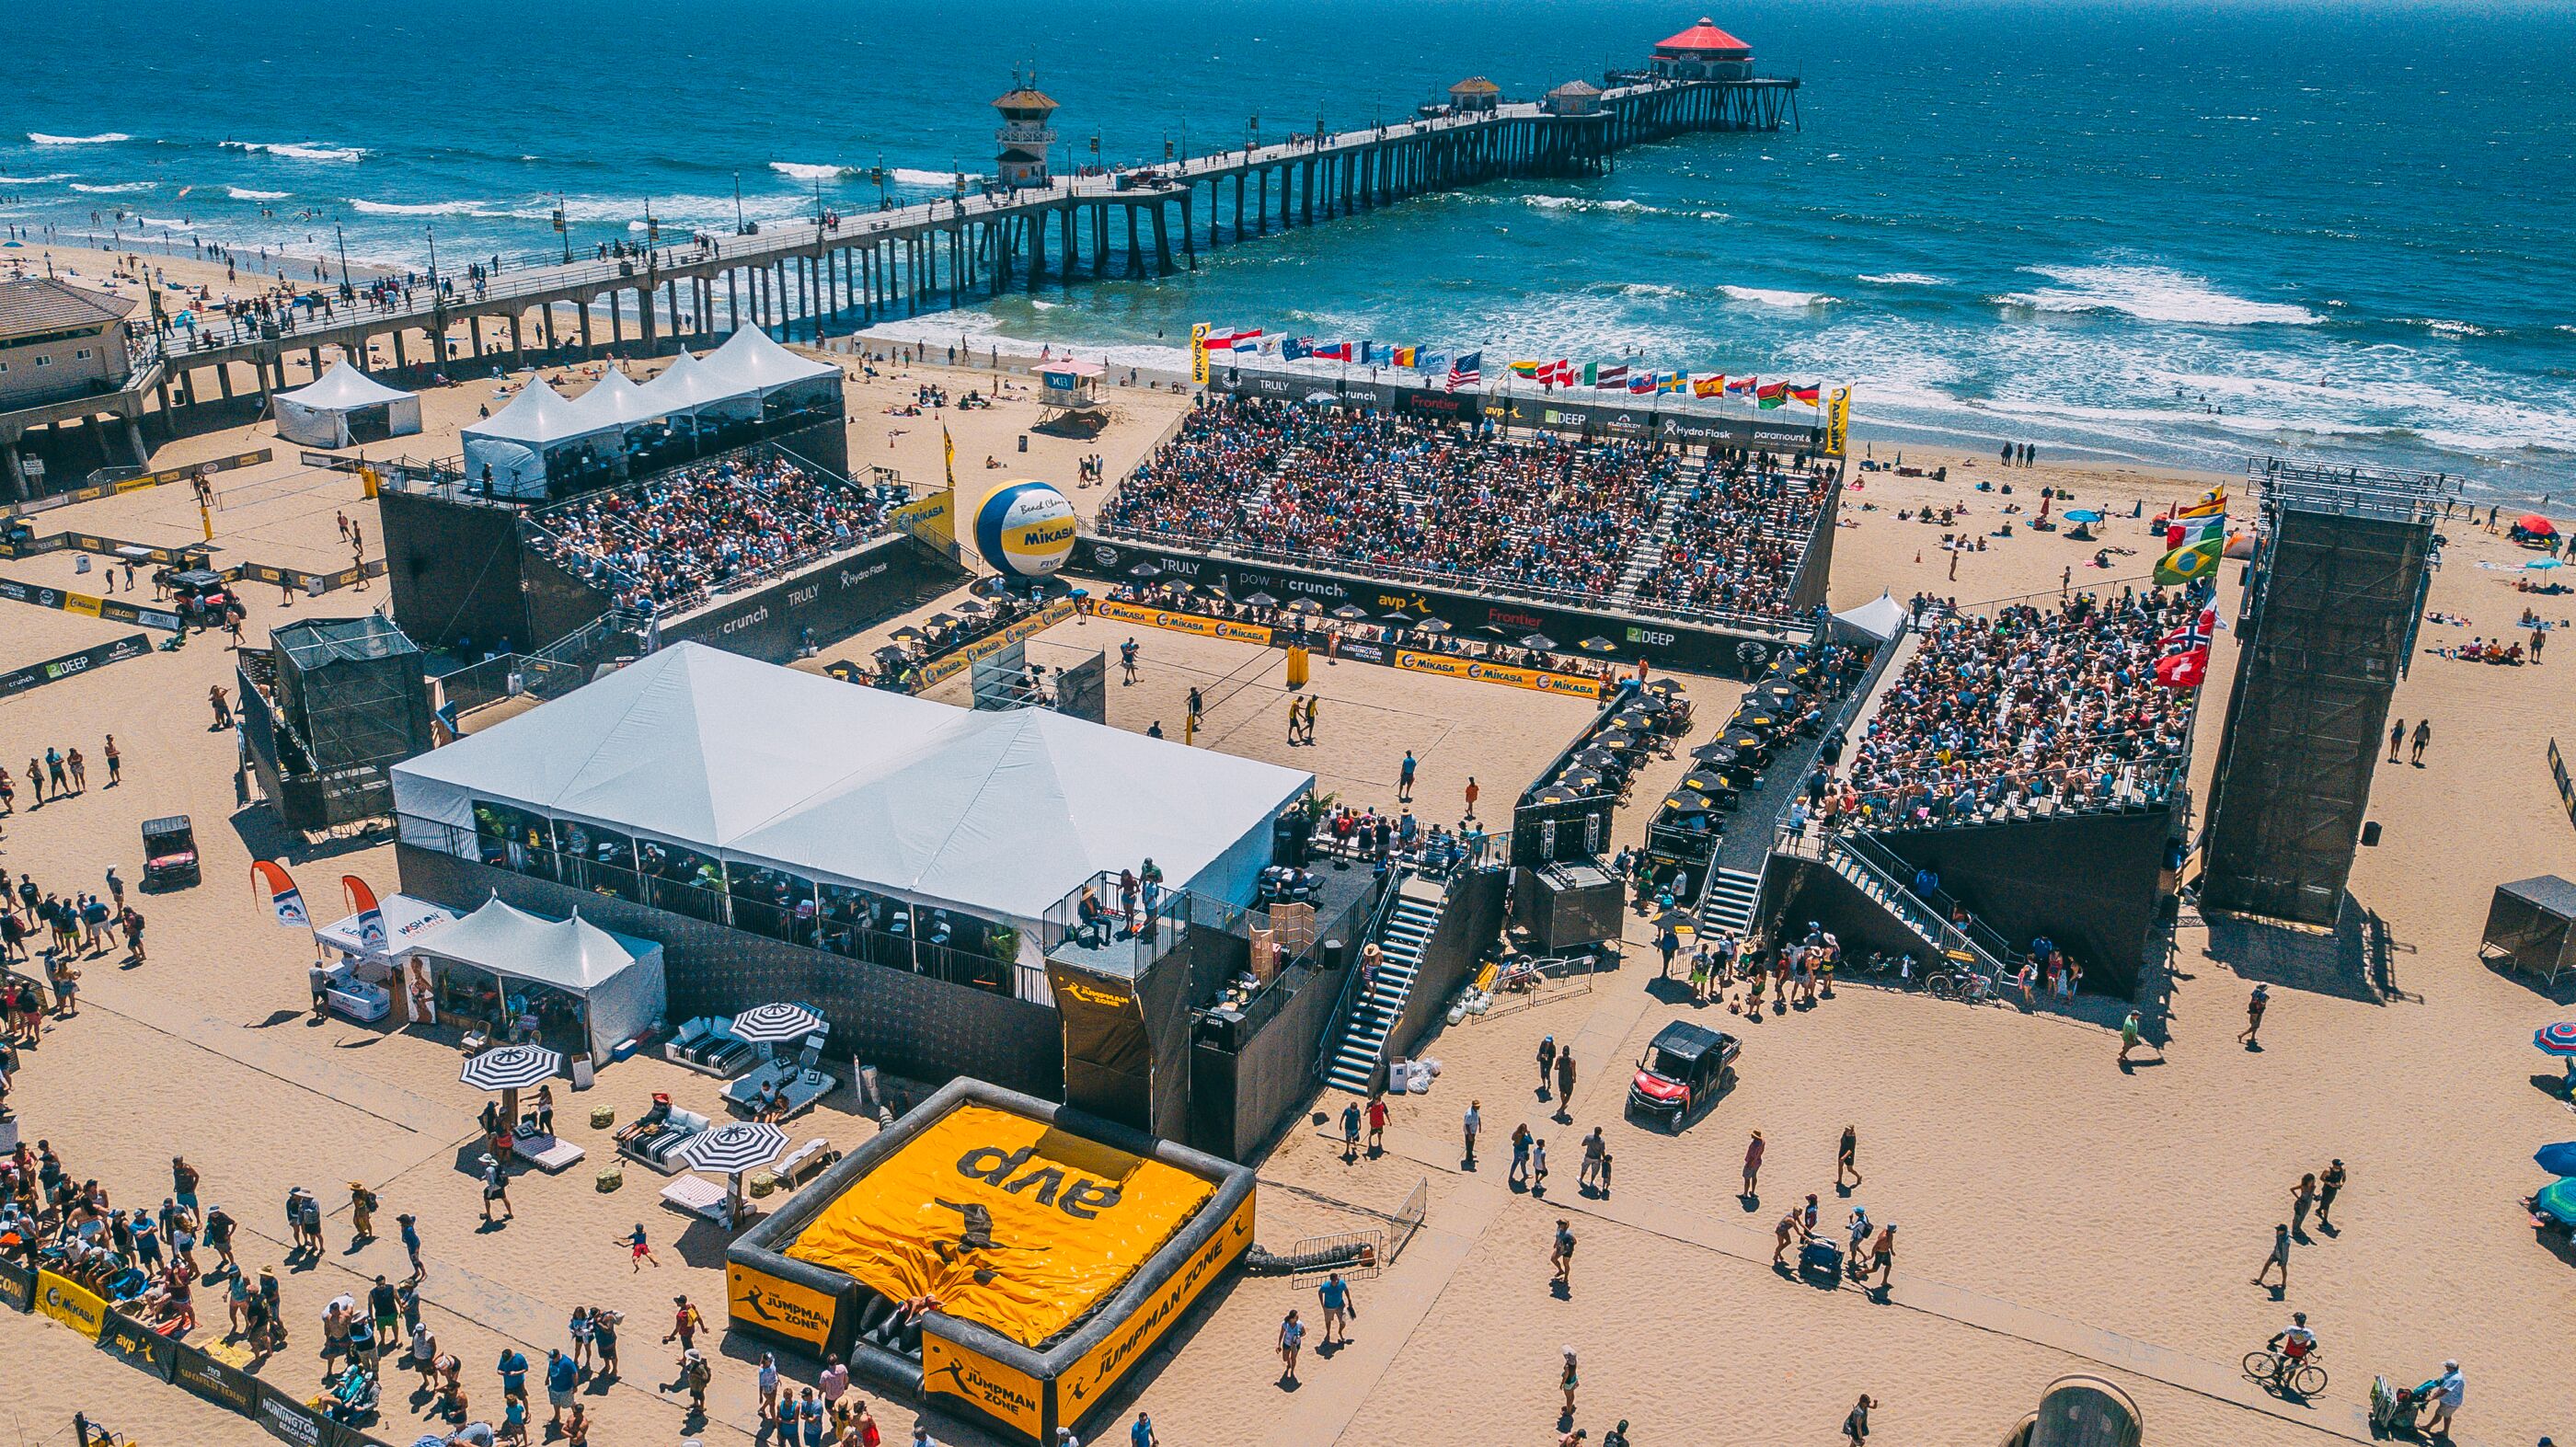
x,y
1738,539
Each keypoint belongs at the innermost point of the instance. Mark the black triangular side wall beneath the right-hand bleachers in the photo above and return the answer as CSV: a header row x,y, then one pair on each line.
x,y
2090,882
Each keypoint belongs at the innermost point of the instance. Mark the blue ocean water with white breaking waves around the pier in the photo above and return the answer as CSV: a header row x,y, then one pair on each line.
x,y
2181,233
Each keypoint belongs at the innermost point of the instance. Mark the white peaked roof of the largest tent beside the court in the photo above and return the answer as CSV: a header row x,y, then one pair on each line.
x,y
993,815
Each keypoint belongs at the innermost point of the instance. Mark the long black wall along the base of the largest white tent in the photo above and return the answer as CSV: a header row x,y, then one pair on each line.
x,y
913,1026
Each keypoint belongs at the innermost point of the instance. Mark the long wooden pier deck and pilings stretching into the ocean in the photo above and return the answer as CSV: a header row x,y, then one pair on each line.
x,y
802,279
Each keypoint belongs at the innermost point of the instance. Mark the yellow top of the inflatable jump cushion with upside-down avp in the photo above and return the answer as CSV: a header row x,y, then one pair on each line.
x,y
1003,1219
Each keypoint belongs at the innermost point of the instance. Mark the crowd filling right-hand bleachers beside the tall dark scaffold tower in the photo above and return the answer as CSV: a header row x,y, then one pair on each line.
x,y
2023,712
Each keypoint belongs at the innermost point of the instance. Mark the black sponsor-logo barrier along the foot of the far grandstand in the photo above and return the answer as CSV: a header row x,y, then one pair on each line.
x,y
1665,642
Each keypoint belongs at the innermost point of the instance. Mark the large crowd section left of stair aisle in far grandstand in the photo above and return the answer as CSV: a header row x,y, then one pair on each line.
x,y
1379,493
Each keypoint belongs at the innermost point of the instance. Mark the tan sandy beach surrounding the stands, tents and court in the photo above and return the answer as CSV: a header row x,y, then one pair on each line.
x,y
2057,1211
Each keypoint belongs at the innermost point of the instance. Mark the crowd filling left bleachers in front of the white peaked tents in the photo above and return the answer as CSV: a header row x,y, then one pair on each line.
x,y
707,529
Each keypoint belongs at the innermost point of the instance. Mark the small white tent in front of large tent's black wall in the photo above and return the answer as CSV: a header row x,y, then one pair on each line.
x,y
614,977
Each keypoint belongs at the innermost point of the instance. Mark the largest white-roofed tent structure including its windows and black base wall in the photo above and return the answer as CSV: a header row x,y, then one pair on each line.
x,y
905,866
